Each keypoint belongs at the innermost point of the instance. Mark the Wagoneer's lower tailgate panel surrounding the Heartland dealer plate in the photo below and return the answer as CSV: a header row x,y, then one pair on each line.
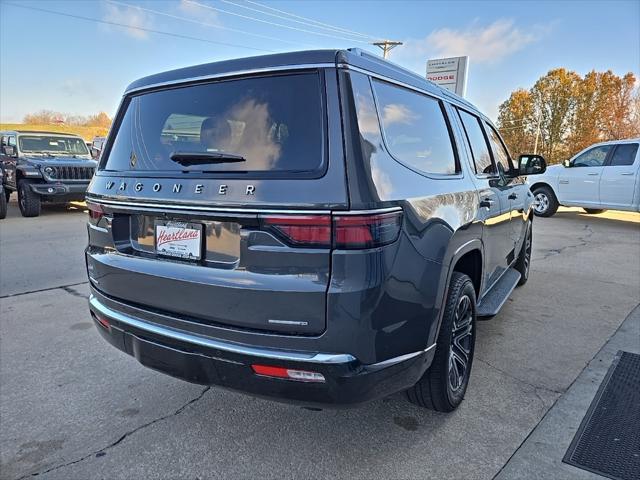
x,y
239,276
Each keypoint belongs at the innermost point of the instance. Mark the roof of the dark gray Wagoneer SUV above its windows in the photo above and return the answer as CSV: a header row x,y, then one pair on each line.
x,y
351,59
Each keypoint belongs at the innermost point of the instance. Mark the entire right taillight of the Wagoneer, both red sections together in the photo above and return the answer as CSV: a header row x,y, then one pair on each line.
x,y
339,231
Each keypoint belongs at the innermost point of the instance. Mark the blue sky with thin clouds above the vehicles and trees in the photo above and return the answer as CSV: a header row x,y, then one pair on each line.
x,y
80,67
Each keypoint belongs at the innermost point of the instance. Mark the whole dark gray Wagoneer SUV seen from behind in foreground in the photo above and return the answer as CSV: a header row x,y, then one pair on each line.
x,y
318,227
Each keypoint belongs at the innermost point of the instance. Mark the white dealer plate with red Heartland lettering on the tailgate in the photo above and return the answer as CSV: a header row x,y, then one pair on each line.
x,y
179,239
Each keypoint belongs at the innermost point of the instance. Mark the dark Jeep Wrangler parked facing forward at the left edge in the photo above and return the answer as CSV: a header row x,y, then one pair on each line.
x,y
44,167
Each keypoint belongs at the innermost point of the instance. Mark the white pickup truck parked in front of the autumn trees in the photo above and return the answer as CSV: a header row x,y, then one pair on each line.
x,y
600,177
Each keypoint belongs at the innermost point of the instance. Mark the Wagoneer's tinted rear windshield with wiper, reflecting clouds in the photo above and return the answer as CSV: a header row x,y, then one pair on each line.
x,y
268,124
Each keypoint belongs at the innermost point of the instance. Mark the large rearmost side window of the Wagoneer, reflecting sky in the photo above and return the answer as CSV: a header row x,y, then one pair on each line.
x,y
415,129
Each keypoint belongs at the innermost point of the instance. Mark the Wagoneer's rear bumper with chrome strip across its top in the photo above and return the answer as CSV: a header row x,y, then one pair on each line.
x,y
208,361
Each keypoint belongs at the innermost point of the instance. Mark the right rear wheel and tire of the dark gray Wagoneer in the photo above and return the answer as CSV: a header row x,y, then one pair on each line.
x,y
443,386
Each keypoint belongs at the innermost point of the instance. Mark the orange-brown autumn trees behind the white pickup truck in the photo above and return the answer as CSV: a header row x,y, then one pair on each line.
x,y
570,113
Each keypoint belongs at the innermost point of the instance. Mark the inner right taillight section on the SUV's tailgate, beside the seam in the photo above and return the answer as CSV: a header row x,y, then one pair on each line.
x,y
301,230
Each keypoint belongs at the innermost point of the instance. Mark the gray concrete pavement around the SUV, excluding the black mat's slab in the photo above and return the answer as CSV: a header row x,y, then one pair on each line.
x,y
73,407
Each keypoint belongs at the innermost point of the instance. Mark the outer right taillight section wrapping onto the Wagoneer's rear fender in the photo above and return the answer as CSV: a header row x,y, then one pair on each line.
x,y
366,231
